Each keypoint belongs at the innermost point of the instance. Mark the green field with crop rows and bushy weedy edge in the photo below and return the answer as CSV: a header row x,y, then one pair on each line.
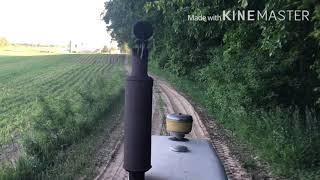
x,y
50,102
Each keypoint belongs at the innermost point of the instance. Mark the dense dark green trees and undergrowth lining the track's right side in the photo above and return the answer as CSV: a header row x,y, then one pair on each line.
x,y
261,78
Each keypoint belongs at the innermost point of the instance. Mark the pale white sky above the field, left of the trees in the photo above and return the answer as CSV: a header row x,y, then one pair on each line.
x,y
54,22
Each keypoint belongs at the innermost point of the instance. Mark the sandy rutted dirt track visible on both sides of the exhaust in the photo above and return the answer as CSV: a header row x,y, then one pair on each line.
x,y
167,100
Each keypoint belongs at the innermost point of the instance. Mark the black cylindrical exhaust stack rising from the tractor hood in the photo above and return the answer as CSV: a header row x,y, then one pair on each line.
x,y
138,108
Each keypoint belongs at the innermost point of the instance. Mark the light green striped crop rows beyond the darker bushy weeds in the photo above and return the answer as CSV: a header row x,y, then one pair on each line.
x,y
22,83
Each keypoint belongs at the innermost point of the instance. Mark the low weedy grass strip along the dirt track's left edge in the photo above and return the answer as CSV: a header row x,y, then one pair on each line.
x,y
75,161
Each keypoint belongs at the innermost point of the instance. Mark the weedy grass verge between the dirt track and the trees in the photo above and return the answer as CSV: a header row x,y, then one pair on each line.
x,y
288,152
